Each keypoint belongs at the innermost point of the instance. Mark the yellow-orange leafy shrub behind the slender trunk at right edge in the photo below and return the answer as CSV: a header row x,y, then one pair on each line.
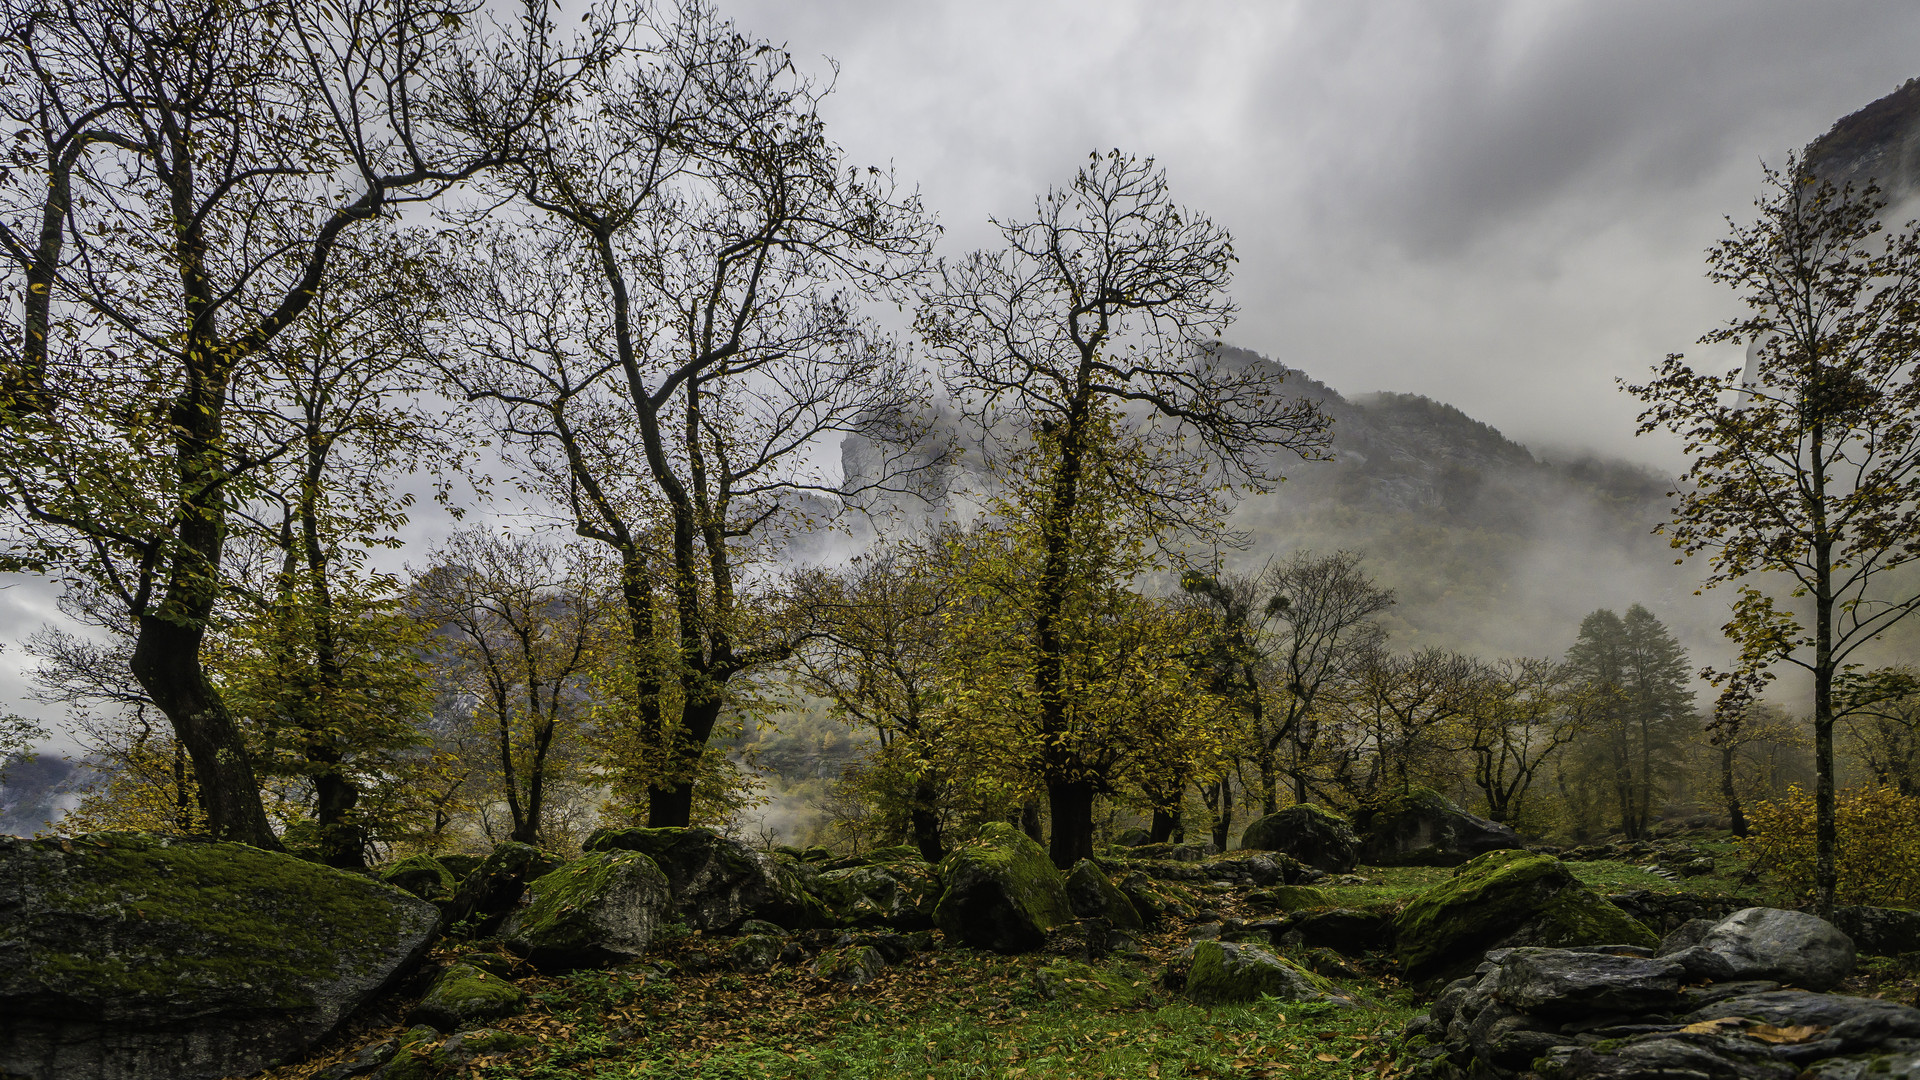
x,y
1877,845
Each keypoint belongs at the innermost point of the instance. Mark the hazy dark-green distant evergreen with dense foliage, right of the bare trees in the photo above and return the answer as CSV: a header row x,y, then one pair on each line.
x,y
1633,691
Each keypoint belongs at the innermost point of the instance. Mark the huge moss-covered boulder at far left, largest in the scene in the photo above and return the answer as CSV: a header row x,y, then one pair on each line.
x,y
133,958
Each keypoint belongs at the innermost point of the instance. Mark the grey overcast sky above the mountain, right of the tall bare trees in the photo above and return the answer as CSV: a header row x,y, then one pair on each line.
x,y
1502,207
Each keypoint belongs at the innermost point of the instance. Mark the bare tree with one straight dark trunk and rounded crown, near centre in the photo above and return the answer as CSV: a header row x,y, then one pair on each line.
x,y
1092,331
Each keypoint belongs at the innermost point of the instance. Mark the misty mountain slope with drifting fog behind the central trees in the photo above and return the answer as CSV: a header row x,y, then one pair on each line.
x,y
1489,549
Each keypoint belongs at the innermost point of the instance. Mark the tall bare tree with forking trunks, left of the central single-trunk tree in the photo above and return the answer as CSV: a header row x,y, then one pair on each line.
x,y
669,335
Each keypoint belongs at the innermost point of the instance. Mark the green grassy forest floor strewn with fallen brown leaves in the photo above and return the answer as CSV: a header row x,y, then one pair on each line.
x,y
959,1014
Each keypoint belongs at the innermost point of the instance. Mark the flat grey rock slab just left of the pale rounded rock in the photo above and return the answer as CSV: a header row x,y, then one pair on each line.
x,y
1562,983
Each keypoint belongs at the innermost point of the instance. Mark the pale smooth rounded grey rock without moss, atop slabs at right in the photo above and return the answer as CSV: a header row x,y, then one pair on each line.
x,y
1767,943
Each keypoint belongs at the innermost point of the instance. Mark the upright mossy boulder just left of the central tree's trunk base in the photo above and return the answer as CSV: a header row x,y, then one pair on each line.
x,y
1001,893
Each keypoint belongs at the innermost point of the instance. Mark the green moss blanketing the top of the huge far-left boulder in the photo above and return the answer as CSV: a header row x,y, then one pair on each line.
x,y
160,918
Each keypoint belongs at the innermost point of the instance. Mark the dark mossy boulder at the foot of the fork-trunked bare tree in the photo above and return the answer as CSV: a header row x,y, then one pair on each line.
x,y
717,883
